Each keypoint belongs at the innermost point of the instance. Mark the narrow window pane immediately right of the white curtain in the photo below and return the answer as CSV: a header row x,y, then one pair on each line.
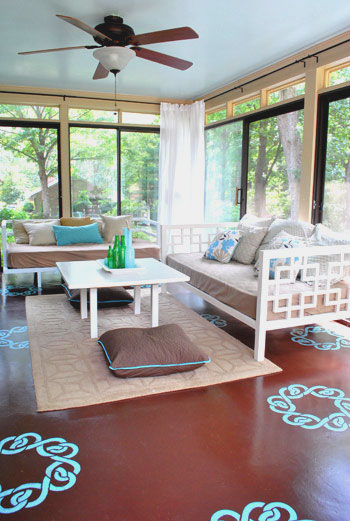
x,y
223,172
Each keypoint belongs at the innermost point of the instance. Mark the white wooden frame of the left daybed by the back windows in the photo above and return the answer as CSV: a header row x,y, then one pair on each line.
x,y
6,230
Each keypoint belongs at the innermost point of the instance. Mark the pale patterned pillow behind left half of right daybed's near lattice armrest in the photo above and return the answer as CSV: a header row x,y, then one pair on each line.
x,y
283,240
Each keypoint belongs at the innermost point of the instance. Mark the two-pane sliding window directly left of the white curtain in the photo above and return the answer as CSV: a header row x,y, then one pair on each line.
x,y
110,178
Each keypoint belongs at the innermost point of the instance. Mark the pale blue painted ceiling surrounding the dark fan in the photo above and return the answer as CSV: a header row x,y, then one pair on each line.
x,y
235,38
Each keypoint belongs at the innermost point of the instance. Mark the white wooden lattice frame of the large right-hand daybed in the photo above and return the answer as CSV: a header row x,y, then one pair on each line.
x,y
195,238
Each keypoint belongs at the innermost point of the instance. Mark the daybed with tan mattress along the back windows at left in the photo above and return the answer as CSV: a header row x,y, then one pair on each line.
x,y
27,258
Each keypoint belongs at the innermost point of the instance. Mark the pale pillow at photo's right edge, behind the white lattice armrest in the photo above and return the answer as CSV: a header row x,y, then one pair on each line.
x,y
324,236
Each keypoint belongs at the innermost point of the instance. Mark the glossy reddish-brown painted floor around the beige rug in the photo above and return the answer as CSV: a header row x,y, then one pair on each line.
x,y
186,455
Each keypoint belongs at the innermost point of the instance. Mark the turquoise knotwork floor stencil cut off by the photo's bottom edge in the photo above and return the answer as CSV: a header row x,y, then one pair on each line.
x,y
265,511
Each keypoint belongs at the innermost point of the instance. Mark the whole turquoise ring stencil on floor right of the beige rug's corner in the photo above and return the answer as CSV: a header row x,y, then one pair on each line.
x,y
336,421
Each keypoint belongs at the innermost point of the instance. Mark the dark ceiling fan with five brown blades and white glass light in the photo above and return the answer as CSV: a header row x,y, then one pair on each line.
x,y
114,38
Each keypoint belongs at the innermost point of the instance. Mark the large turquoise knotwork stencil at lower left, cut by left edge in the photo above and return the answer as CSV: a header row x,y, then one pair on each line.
x,y
59,475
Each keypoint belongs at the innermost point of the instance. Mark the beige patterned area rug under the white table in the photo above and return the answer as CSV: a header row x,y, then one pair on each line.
x,y
70,369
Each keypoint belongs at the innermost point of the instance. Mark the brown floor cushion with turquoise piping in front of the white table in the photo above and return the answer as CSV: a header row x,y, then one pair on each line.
x,y
154,351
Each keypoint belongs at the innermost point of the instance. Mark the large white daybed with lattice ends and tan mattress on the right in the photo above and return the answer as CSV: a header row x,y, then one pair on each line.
x,y
321,291
